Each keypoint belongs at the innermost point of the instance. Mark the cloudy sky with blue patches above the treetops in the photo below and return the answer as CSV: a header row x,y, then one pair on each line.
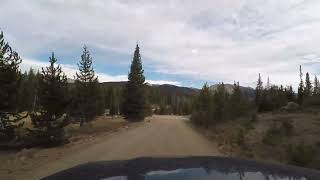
x,y
185,42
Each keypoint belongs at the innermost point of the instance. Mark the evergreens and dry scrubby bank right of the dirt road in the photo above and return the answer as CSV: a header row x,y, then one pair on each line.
x,y
276,125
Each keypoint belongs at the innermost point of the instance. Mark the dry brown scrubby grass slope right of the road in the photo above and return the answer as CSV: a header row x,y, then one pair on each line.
x,y
273,137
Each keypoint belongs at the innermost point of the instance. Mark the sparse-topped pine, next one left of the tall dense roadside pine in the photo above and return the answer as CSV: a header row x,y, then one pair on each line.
x,y
88,96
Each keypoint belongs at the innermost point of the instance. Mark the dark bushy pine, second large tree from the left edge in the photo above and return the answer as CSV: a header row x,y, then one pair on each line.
x,y
51,117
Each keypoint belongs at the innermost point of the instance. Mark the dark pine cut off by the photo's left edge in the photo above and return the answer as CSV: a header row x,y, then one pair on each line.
x,y
10,76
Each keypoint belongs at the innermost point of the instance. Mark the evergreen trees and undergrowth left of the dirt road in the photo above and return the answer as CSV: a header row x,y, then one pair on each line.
x,y
38,107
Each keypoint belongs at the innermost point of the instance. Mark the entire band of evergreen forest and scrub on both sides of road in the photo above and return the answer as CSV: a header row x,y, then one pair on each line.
x,y
51,101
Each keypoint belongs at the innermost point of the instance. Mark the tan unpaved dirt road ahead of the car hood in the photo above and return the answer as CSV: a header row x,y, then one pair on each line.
x,y
162,136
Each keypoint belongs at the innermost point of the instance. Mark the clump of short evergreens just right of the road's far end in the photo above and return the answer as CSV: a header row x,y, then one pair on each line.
x,y
212,108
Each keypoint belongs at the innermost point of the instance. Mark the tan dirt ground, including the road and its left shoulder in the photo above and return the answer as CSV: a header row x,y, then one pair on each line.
x,y
157,136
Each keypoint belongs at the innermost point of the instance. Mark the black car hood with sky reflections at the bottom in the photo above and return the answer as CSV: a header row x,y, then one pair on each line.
x,y
186,168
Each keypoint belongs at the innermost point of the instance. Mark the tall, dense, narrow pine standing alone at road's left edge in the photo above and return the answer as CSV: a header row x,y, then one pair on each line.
x,y
135,101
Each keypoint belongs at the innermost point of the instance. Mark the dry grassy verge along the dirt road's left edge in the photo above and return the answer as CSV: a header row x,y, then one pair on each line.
x,y
16,162
